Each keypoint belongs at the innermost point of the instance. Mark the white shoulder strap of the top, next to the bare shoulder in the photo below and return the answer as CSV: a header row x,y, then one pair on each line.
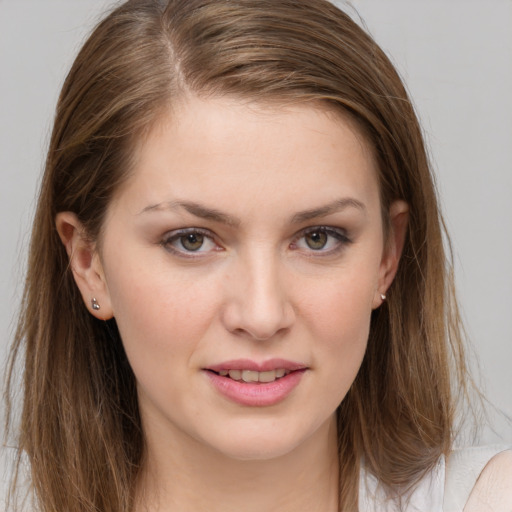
x,y
463,467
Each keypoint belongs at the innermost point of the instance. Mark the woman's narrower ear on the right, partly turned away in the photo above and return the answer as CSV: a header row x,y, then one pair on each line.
x,y
399,217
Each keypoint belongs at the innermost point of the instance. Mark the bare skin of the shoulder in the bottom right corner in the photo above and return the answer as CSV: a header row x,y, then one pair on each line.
x,y
492,491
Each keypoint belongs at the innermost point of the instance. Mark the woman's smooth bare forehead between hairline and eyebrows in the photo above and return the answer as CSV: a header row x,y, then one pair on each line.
x,y
224,150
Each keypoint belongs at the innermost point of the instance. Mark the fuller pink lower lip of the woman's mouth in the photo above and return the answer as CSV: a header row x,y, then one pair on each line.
x,y
253,393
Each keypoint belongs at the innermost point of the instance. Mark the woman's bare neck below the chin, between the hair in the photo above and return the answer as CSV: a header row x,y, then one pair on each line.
x,y
186,478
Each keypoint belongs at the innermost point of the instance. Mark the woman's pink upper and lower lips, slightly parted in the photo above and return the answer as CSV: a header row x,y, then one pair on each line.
x,y
256,394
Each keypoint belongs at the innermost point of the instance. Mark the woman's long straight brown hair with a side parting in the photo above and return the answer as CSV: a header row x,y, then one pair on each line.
x,y
80,425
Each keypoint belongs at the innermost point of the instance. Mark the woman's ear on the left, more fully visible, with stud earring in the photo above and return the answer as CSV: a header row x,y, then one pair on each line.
x,y
85,264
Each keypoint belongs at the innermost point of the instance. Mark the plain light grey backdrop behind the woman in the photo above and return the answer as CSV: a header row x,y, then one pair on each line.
x,y
456,58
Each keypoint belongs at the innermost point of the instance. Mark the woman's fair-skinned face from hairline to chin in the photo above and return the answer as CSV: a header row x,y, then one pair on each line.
x,y
242,261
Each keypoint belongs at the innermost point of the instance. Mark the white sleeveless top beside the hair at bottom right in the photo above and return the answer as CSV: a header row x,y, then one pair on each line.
x,y
445,489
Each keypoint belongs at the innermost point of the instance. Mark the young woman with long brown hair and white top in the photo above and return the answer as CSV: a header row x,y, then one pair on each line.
x,y
237,296
